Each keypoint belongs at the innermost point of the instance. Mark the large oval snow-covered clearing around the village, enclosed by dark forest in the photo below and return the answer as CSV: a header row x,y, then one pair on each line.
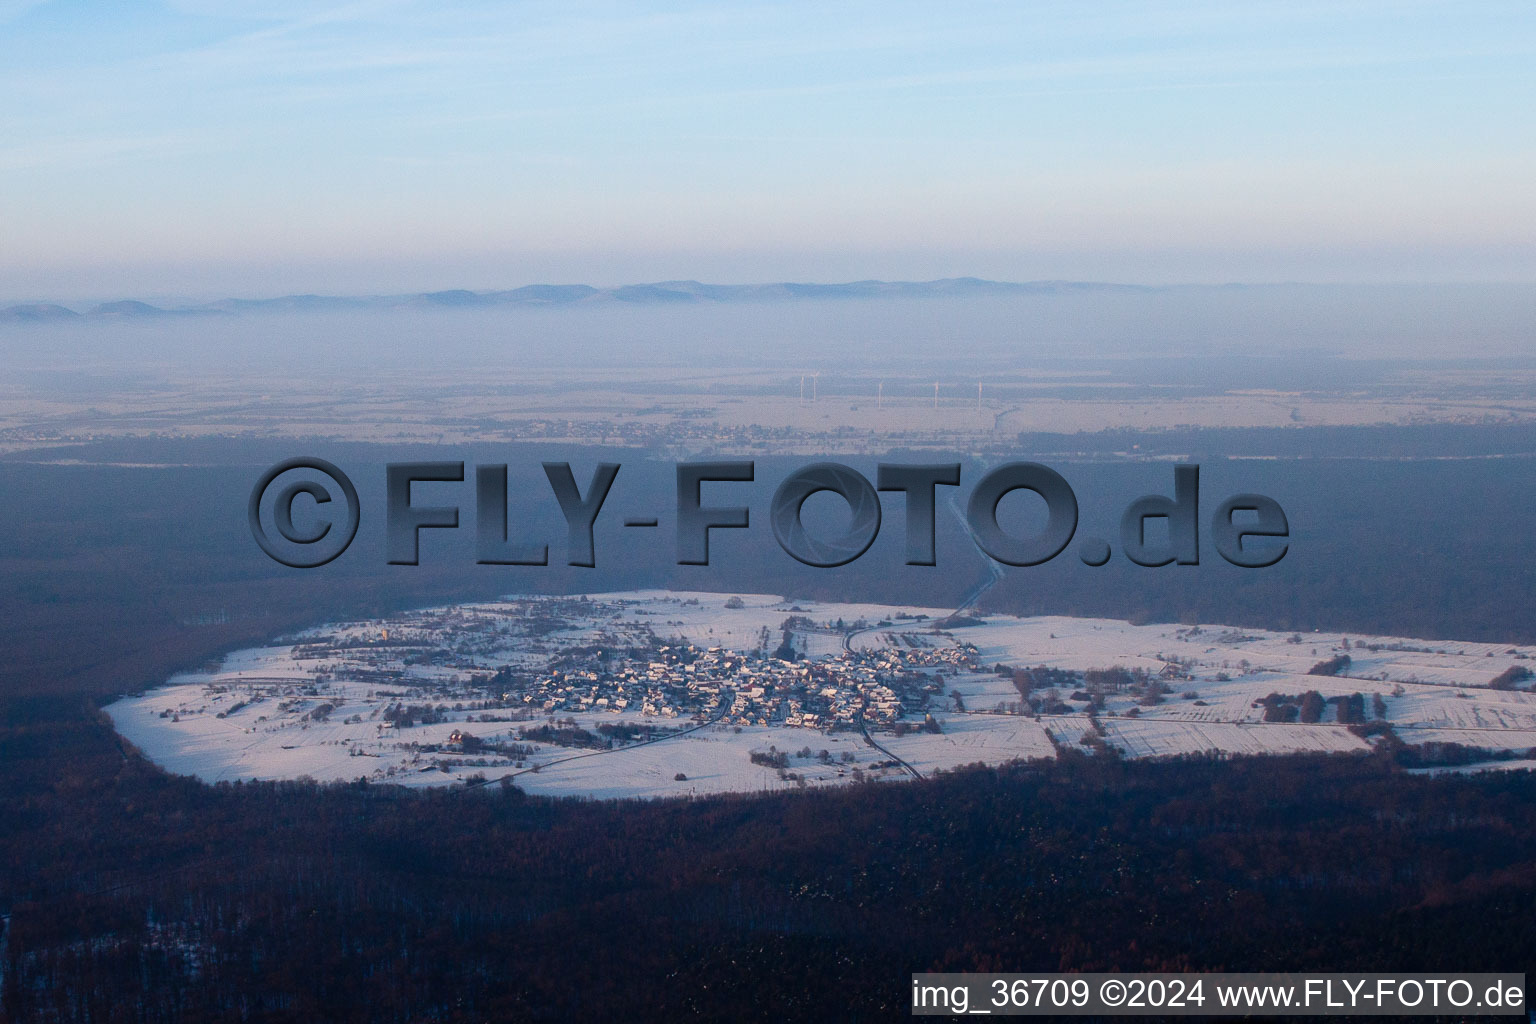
x,y
328,704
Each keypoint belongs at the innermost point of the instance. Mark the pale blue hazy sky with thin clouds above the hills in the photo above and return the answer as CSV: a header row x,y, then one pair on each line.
x,y
214,148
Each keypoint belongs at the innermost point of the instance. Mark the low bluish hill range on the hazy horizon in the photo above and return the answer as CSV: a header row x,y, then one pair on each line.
x,y
661,294
